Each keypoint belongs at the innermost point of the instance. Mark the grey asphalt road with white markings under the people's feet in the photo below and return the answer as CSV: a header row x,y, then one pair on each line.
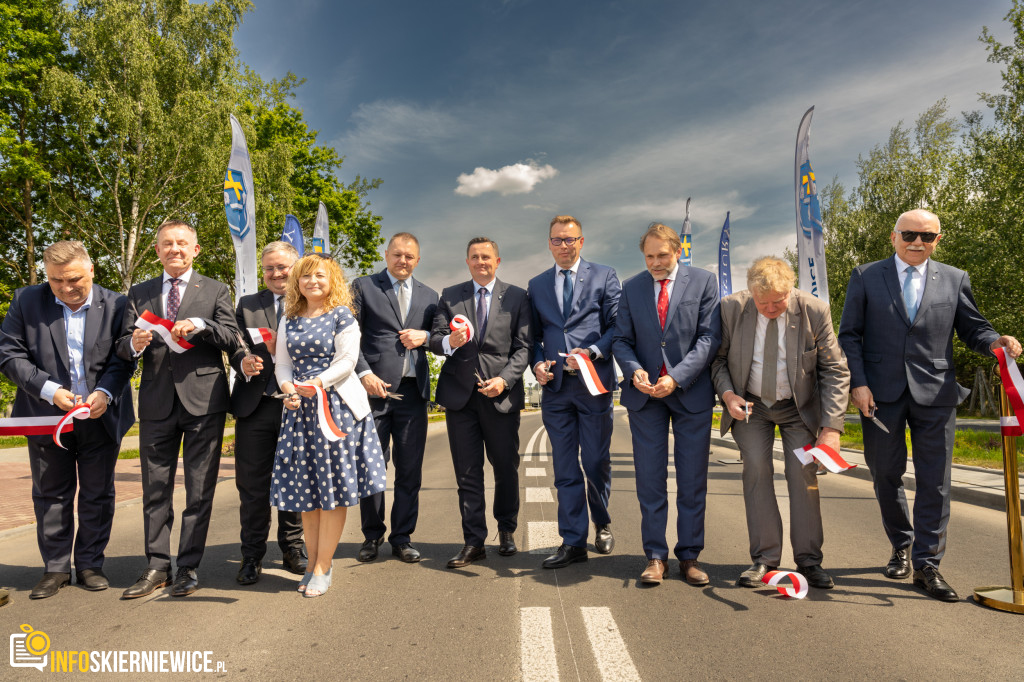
x,y
507,619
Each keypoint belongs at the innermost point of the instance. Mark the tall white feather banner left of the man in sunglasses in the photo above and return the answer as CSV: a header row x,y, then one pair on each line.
x,y
810,235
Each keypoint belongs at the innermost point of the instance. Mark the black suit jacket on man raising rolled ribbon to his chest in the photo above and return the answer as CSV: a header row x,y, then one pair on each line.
x,y
504,351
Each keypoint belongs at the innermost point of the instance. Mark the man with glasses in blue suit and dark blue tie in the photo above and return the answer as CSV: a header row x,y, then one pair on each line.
x,y
574,307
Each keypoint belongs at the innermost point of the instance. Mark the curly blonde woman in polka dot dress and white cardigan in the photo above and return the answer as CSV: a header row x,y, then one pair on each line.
x,y
322,479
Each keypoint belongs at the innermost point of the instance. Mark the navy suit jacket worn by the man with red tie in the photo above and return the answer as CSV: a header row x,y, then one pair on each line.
x,y
687,346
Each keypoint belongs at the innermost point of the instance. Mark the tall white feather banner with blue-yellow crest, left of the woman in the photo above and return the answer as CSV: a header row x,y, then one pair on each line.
x,y
240,206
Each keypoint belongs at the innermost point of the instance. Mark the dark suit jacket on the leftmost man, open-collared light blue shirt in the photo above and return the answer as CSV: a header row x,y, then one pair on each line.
x,y
34,351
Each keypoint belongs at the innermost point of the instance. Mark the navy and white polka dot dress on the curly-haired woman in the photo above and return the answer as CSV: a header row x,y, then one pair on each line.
x,y
310,472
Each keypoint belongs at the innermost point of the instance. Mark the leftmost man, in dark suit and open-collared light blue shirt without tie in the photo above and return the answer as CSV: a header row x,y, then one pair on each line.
x,y
57,346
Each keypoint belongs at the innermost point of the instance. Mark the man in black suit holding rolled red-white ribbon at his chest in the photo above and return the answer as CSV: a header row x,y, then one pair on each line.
x,y
481,387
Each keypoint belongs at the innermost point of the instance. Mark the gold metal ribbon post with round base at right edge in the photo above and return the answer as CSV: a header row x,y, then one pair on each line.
x,y
1001,598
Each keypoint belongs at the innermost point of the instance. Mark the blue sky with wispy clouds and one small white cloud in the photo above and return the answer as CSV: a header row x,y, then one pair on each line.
x,y
614,112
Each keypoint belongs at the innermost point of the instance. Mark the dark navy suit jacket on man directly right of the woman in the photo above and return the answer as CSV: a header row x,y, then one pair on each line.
x,y
380,321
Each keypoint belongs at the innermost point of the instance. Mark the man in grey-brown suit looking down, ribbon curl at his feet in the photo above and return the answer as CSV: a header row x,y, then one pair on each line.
x,y
780,365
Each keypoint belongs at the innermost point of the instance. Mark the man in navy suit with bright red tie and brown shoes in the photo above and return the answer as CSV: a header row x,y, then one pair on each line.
x,y
668,329
